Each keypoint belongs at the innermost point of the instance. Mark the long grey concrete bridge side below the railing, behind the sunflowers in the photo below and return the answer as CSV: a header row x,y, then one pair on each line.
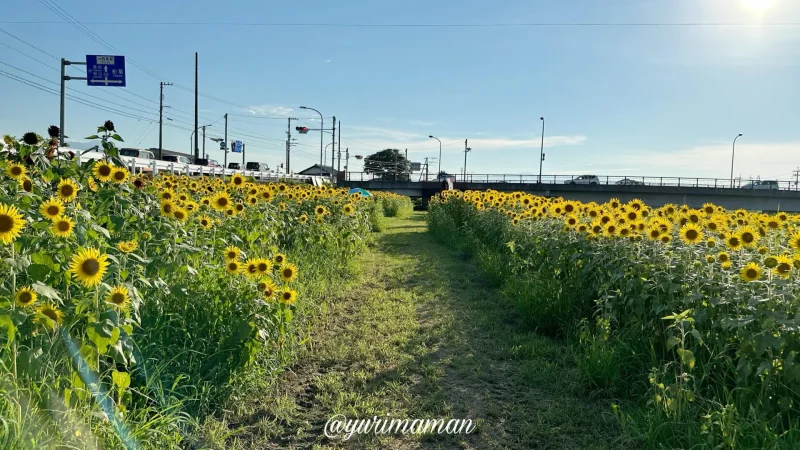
x,y
655,196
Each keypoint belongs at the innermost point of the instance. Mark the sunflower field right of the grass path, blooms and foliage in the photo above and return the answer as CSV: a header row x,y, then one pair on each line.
x,y
687,319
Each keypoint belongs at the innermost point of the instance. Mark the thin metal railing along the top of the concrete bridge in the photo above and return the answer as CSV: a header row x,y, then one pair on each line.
x,y
616,180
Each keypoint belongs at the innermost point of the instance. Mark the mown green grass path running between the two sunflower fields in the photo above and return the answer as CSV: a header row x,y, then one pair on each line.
x,y
419,334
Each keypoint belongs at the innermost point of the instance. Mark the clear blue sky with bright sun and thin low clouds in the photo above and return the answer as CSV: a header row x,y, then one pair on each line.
x,y
618,100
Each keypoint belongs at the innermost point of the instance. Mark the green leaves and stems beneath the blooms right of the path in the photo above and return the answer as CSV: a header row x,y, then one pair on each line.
x,y
695,358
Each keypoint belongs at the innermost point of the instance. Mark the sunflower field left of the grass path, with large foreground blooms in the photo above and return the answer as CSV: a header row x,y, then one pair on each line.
x,y
129,303
